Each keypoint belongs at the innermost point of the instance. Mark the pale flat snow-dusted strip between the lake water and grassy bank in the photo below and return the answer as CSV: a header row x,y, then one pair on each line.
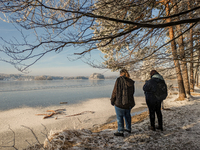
x,y
21,121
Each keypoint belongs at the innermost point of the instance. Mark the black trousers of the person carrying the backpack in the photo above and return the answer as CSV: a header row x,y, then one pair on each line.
x,y
154,108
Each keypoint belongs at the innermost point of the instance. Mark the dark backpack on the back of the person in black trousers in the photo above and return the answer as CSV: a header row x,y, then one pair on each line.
x,y
161,91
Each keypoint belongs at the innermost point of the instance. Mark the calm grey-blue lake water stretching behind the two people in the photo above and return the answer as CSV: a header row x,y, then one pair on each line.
x,y
15,94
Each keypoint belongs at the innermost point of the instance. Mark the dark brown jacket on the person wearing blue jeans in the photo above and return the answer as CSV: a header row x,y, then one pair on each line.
x,y
122,95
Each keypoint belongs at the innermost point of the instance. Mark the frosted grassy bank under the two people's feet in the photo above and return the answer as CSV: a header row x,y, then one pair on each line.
x,y
181,131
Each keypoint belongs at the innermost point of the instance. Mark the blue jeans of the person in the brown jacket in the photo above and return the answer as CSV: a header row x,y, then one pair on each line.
x,y
121,115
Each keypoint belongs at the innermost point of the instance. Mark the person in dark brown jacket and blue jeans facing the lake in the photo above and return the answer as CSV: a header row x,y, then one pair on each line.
x,y
123,100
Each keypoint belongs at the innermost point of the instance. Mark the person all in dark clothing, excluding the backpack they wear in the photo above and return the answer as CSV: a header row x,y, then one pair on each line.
x,y
154,105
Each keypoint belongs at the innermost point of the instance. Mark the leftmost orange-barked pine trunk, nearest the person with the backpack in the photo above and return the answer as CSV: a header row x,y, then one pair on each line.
x,y
182,94
